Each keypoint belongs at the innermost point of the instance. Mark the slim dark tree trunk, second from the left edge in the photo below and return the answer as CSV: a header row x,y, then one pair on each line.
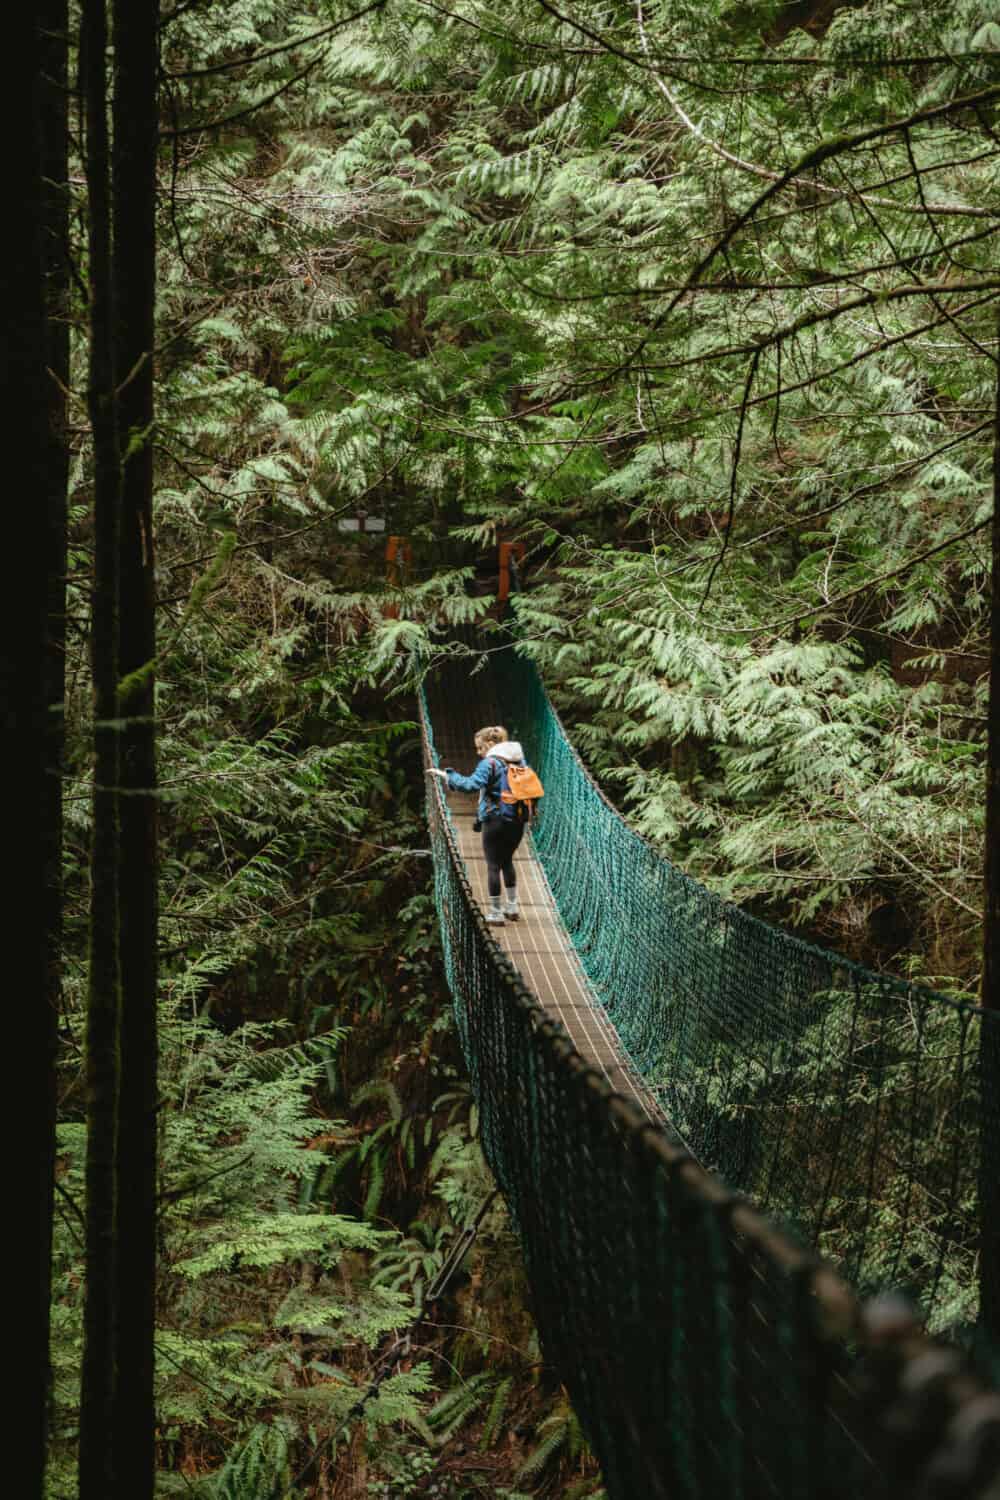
x,y
101,1315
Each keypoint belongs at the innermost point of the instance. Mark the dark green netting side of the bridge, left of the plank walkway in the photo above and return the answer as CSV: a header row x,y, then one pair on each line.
x,y
704,1354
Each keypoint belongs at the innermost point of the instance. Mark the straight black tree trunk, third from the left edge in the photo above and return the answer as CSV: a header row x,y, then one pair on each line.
x,y
134,214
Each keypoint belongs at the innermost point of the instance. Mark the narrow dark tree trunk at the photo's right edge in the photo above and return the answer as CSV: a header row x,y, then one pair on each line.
x,y
990,1063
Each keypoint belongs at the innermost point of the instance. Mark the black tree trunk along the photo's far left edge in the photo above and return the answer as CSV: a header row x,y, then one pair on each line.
x,y
23,694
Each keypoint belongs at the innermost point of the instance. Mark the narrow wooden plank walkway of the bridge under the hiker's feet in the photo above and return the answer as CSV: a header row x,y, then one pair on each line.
x,y
537,944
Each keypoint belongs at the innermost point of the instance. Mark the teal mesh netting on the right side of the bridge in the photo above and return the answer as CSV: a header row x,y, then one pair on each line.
x,y
843,1102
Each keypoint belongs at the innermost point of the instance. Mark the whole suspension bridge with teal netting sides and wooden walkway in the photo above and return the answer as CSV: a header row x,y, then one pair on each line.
x,y
717,1144
